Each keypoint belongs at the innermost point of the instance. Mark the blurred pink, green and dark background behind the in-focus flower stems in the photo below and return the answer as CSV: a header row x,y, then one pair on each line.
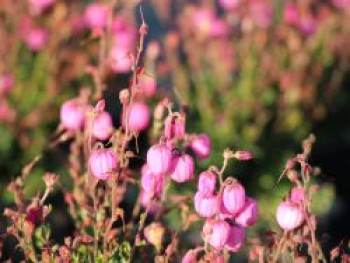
x,y
258,75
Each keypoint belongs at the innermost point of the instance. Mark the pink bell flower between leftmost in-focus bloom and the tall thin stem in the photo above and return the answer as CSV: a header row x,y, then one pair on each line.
x,y
102,127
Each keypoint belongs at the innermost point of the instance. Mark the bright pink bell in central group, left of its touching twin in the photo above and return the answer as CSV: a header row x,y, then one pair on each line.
x,y
159,159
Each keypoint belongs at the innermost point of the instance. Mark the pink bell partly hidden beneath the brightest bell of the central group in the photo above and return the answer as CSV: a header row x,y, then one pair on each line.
x,y
151,182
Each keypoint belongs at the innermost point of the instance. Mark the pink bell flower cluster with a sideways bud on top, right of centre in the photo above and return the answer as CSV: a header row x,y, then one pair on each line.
x,y
227,212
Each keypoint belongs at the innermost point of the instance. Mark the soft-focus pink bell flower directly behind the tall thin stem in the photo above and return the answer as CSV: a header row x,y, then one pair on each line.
x,y
139,117
